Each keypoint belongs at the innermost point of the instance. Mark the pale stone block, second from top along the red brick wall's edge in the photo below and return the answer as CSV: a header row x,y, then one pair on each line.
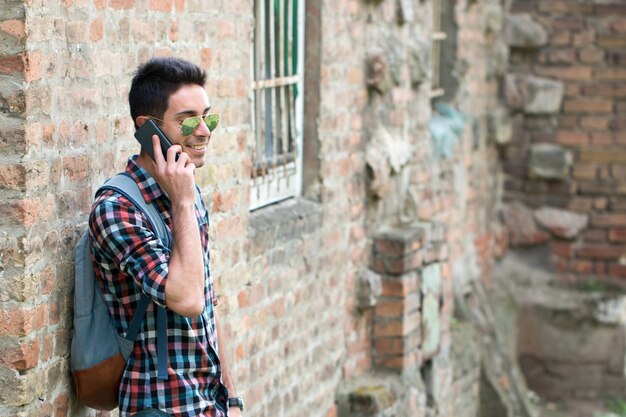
x,y
533,95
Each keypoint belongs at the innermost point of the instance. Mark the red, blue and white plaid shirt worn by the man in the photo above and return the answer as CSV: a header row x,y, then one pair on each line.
x,y
131,259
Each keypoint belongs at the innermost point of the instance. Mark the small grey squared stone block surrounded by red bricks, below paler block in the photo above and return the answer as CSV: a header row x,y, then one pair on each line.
x,y
549,162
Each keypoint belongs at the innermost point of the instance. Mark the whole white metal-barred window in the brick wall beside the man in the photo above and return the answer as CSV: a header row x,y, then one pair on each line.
x,y
277,89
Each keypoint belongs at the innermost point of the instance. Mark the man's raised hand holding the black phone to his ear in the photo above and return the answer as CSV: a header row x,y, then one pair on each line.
x,y
174,176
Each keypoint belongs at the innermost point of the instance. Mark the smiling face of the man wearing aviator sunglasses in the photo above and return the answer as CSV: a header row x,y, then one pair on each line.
x,y
190,100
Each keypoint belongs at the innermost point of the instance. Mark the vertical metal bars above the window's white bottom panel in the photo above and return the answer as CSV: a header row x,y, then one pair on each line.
x,y
275,85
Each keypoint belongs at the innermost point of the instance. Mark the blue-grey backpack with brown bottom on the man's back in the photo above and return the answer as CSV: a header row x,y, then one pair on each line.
x,y
98,353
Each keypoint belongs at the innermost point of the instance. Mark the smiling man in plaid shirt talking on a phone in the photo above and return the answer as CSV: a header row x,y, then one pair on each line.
x,y
132,260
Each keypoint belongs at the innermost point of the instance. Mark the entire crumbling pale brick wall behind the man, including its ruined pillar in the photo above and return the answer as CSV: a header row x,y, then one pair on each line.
x,y
354,279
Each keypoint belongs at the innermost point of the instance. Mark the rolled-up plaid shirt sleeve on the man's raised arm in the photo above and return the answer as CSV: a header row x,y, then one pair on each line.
x,y
121,233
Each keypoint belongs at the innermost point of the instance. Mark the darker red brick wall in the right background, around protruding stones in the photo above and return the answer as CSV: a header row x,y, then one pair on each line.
x,y
586,51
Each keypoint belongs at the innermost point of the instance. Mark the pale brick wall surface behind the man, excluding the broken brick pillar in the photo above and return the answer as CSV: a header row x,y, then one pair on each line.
x,y
287,277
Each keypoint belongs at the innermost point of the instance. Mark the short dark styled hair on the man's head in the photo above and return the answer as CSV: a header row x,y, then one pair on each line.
x,y
156,80
